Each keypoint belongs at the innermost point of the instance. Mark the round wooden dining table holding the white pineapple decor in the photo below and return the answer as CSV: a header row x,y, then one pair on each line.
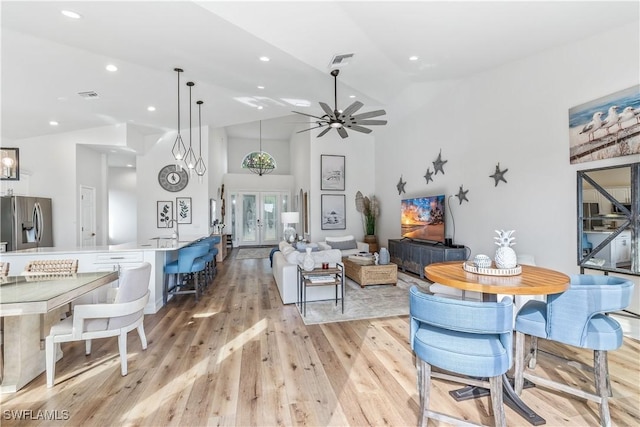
x,y
532,280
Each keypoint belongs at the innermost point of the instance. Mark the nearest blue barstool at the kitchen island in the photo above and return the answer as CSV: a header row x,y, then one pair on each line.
x,y
190,264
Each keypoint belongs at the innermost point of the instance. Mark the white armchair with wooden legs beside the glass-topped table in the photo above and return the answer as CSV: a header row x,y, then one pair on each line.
x,y
91,321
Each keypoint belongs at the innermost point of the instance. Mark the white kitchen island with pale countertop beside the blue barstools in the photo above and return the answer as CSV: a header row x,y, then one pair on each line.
x,y
156,252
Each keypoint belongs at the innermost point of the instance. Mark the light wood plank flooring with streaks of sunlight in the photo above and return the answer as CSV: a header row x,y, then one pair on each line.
x,y
239,357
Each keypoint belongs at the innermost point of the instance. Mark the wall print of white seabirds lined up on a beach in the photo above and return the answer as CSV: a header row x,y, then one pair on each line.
x,y
605,127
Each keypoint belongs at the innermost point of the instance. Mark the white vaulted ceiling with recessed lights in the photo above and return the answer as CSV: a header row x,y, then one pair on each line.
x,y
48,58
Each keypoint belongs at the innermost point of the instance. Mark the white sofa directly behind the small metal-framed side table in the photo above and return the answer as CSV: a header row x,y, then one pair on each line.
x,y
285,271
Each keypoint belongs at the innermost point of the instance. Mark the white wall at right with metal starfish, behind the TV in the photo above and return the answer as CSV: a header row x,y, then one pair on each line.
x,y
515,115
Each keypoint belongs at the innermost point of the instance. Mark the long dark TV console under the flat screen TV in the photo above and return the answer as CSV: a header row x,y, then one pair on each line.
x,y
414,256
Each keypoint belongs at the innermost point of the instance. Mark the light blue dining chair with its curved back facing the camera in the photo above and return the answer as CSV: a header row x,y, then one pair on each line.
x,y
466,338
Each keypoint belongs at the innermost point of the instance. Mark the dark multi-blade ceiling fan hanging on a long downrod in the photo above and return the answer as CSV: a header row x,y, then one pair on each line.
x,y
343,120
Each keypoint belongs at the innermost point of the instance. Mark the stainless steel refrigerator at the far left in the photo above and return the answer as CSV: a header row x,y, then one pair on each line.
x,y
25,222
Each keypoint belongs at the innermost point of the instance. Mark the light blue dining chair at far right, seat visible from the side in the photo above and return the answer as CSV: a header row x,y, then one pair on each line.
x,y
576,317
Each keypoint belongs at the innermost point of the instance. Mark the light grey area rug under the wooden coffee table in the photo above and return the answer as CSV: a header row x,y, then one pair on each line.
x,y
365,303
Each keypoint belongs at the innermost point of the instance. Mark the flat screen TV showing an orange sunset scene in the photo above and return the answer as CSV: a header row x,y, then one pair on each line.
x,y
422,218
